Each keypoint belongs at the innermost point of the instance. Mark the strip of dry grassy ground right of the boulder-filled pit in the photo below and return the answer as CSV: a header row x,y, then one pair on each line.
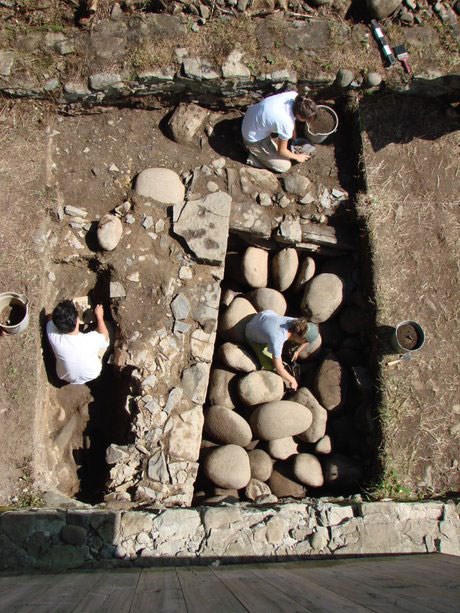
x,y
413,219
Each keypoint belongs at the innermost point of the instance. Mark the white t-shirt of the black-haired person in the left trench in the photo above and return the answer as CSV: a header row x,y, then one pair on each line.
x,y
77,359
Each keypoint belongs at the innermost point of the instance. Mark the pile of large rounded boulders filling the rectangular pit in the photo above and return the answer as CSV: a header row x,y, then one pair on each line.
x,y
263,442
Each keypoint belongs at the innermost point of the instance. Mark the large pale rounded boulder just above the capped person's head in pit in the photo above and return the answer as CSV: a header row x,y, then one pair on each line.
x,y
322,297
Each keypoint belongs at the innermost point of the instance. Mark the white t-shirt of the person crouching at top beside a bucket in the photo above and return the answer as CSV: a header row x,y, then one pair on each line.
x,y
273,114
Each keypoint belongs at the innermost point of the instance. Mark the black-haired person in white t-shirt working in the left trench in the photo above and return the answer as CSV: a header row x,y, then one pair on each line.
x,y
78,355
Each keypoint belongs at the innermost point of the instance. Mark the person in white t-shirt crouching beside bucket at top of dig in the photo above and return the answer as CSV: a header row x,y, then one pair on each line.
x,y
275,114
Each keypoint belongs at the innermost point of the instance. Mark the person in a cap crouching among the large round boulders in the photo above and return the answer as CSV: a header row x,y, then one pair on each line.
x,y
267,332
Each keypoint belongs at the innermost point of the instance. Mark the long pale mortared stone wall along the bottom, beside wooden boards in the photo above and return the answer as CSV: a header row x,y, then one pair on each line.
x,y
78,537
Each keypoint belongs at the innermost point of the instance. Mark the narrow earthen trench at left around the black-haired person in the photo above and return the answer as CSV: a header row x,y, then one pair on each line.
x,y
83,420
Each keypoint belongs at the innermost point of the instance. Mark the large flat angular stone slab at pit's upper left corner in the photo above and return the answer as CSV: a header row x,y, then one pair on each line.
x,y
203,224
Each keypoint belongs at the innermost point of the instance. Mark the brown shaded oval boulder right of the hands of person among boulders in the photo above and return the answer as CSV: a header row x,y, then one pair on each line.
x,y
331,384
